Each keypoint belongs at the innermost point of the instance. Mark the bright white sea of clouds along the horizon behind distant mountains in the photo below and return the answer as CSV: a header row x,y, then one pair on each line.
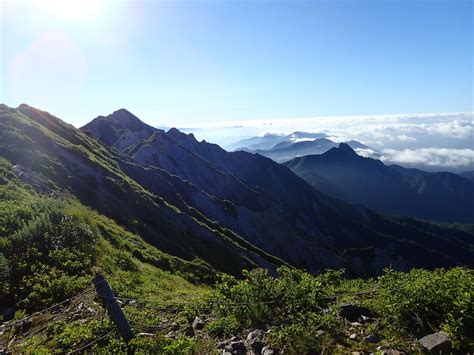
x,y
397,132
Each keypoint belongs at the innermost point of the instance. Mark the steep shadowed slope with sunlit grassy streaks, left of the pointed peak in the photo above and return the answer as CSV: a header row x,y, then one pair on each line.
x,y
58,159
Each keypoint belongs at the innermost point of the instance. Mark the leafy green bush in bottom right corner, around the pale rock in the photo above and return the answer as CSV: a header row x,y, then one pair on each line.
x,y
442,299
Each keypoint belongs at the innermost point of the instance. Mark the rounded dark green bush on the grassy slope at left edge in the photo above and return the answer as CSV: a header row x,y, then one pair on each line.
x,y
46,255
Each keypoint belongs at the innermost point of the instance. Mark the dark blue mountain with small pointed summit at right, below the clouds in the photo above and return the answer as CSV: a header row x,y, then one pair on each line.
x,y
341,173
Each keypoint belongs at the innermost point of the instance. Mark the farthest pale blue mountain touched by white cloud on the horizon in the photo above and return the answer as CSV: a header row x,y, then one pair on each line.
x,y
272,140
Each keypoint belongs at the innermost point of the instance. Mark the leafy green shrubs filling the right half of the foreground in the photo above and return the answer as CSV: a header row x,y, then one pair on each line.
x,y
301,316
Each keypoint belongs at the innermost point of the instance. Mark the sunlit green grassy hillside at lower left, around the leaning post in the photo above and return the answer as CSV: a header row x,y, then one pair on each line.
x,y
51,248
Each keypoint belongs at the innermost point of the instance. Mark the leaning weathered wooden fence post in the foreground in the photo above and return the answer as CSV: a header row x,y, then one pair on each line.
x,y
116,315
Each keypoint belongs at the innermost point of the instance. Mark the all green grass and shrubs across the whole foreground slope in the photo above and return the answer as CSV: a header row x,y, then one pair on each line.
x,y
50,249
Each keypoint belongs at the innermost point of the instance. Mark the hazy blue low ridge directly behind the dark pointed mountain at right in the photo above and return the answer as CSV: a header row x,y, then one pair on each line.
x,y
286,150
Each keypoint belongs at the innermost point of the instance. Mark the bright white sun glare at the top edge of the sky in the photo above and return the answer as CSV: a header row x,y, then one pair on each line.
x,y
69,9
